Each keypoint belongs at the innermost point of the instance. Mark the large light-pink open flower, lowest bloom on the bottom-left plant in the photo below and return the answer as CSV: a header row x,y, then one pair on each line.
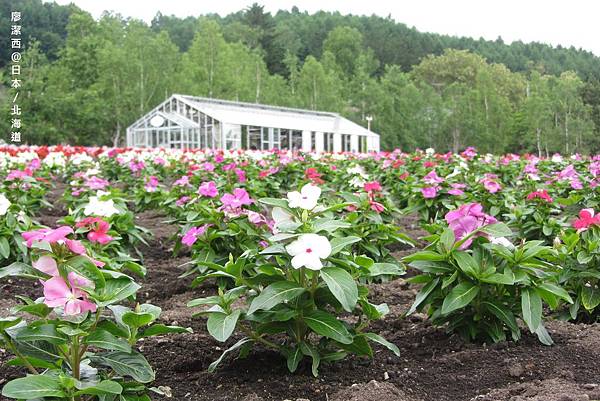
x,y
74,301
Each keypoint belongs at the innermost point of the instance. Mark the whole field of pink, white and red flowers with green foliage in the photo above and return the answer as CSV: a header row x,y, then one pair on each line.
x,y
134,275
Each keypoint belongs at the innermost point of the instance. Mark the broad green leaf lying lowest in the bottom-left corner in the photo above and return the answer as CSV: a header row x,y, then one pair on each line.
x,y
33,387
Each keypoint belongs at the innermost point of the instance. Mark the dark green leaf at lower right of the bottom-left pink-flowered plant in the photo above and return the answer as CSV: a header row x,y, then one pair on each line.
x,y
127,364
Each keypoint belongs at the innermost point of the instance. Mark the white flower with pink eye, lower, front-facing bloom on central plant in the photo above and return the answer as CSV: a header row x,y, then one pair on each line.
x,y
308,250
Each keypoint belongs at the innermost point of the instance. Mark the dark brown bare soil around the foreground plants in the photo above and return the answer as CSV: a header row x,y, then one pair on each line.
x,y
433,366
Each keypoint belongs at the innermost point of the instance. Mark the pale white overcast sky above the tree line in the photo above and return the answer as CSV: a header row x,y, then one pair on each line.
x,y
564,22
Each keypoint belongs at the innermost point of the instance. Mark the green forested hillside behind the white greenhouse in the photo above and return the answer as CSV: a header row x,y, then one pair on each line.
x,y
84,80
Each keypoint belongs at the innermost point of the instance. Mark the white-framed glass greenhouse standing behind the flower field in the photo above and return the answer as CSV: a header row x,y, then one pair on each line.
x,y
189,122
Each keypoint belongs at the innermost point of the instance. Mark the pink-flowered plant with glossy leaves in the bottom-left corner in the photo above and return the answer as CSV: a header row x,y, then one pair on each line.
x,y
80,343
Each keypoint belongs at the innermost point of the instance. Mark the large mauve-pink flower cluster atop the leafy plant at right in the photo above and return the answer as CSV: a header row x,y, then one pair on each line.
x,y
466,219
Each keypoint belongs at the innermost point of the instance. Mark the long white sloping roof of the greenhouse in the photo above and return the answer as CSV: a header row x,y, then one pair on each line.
x,y
241,113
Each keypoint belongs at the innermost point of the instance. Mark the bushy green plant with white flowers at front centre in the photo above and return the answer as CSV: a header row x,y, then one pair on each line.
x,y
296,289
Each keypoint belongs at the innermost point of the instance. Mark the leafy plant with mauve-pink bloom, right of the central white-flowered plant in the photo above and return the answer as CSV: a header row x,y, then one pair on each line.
x,y
478,283
